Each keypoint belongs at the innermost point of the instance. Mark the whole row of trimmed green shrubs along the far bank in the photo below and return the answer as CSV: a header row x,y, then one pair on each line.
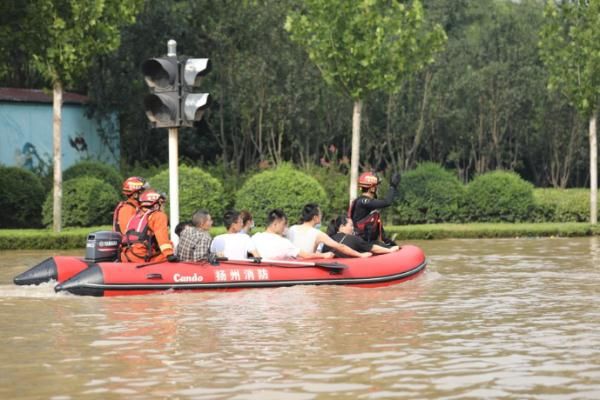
x,y
428,194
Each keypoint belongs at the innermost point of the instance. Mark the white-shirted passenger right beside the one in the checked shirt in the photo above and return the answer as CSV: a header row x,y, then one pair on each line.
x,y
234,245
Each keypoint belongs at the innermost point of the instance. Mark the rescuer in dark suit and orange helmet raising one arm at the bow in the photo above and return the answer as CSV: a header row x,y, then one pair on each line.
x,y
365,209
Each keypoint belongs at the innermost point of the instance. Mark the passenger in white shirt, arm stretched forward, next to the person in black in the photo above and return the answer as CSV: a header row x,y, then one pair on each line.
x,y
308,237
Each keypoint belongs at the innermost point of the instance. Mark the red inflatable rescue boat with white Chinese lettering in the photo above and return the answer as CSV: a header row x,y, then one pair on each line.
x,y
96,278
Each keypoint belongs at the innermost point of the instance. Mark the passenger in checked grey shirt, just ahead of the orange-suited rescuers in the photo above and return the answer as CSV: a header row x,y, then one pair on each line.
x,y
194,240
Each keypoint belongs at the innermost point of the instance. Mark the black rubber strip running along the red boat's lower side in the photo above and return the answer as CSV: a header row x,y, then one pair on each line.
x,y
253,284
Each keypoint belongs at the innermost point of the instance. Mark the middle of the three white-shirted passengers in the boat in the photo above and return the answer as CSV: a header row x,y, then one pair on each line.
x,y
271,244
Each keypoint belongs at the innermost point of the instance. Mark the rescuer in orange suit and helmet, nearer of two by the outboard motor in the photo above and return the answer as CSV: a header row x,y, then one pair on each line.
x,y
146,238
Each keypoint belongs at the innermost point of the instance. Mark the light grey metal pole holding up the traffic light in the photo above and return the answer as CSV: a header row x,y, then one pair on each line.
x,y
173,164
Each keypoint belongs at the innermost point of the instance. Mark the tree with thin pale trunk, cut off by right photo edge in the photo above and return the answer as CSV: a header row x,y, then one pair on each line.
x,y
570,48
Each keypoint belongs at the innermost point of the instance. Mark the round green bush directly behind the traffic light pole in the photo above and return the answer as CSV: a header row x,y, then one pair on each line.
x,y
197,190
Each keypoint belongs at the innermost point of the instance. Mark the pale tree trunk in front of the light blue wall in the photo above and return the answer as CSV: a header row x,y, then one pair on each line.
x,y
56,126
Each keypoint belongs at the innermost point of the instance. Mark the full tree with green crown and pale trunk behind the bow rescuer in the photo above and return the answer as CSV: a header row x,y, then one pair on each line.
x,y
363,46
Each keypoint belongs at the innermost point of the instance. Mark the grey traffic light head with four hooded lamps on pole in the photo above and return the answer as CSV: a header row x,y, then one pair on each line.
x,y
172,81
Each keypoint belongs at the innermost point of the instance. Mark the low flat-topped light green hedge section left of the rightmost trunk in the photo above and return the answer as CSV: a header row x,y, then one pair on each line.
x,y
561,205
